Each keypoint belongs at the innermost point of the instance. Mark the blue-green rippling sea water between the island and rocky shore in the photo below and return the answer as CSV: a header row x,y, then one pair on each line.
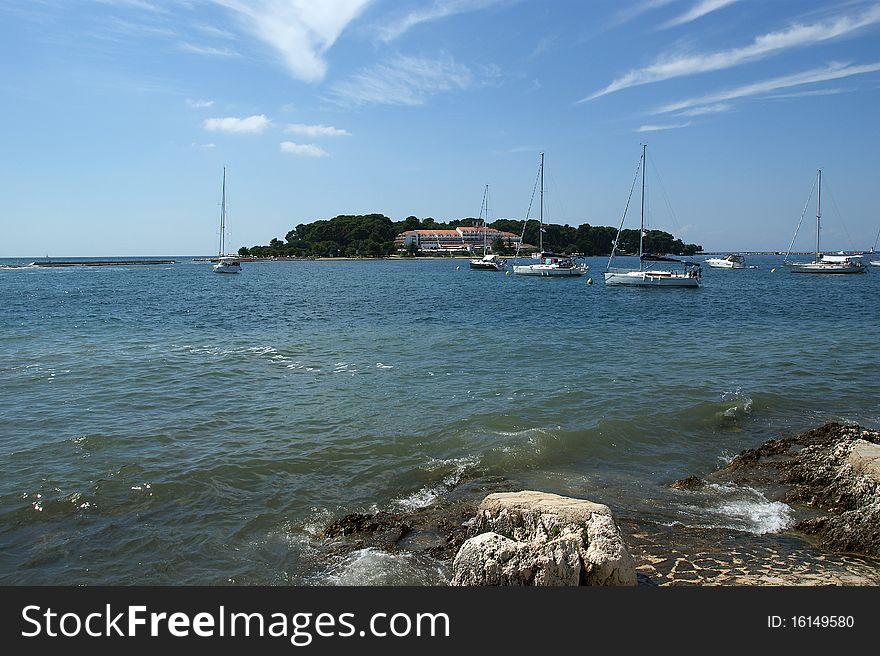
x,y
165,425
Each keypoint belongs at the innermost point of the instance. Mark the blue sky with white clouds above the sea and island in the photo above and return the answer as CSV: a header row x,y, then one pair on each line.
x,y
118,116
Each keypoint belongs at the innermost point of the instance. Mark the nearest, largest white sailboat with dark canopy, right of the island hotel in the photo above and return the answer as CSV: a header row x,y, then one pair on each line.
x,y
649,274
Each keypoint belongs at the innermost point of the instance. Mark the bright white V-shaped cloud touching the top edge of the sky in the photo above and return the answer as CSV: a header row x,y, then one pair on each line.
x,y
300,31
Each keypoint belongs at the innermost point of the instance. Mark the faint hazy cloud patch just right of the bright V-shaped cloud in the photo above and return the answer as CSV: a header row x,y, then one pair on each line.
x,y
404,80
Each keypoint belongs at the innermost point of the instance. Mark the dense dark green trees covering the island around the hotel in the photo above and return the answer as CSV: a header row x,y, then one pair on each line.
x,y
372,235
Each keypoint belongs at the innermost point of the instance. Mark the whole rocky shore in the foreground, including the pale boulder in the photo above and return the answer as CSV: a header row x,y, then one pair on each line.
x,y
830,476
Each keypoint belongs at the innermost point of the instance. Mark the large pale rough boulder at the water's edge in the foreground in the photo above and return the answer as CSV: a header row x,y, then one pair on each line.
x,y
536,538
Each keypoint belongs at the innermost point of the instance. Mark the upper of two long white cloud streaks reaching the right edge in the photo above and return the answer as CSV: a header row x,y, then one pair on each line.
x,y
762,46
